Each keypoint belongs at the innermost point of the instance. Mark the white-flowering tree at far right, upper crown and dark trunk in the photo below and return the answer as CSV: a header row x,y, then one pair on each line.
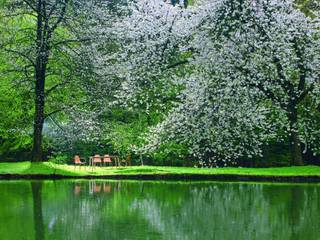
x,y
272,49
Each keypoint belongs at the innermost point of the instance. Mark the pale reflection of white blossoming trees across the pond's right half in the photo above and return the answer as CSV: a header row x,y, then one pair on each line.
x,y
237,211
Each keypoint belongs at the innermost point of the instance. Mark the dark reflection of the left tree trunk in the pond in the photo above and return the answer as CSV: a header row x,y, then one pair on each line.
x,y
37,210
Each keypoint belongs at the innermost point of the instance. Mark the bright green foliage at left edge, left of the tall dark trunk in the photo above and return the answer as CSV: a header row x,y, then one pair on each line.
x,y
15,115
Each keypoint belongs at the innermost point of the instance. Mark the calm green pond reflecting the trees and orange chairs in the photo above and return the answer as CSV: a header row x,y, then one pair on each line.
x,y
99,209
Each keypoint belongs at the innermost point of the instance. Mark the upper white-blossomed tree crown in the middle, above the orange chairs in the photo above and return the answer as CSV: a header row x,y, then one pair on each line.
x,y
138,54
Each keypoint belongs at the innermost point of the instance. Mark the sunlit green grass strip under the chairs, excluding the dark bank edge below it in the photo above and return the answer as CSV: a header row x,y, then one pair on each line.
x,y
67,170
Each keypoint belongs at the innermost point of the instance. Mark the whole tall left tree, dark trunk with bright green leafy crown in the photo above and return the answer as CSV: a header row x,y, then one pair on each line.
x,y
39,39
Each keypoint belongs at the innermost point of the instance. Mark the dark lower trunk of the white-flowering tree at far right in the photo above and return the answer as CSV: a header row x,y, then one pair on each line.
x,y
294,141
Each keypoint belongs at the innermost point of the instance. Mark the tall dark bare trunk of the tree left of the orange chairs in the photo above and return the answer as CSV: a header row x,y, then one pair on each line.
x,y
40,77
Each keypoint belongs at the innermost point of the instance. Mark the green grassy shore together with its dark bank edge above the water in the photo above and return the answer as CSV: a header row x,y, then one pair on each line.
x,y
47,170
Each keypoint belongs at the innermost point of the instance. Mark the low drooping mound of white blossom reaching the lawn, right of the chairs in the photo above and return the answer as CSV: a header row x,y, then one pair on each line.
x,y
211,122
